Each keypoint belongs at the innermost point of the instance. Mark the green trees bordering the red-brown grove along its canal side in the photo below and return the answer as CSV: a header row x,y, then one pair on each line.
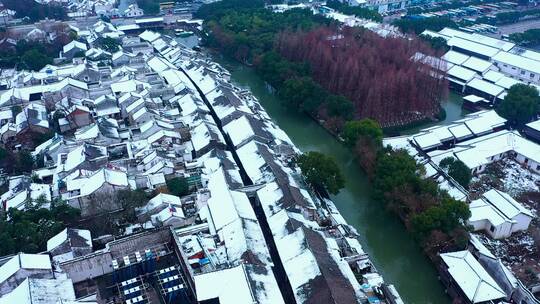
x,y
247,32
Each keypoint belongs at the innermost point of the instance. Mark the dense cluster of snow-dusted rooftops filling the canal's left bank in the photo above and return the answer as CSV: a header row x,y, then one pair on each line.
x,y
133,120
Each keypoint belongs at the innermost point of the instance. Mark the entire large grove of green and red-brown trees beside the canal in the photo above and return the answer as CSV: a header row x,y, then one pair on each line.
x,y
291,53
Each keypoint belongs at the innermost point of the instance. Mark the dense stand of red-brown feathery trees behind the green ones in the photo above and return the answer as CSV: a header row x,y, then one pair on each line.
x,y
375,73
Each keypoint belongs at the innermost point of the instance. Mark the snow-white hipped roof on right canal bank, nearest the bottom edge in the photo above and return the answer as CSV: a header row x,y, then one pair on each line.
x,y
471,277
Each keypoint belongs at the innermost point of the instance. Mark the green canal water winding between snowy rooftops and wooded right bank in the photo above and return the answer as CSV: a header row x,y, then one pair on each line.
x,y
383,236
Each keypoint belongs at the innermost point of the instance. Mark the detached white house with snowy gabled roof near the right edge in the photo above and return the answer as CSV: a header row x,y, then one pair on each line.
x,y
499,215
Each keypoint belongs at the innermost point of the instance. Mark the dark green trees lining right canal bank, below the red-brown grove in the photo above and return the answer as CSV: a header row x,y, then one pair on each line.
x,y
434,218
